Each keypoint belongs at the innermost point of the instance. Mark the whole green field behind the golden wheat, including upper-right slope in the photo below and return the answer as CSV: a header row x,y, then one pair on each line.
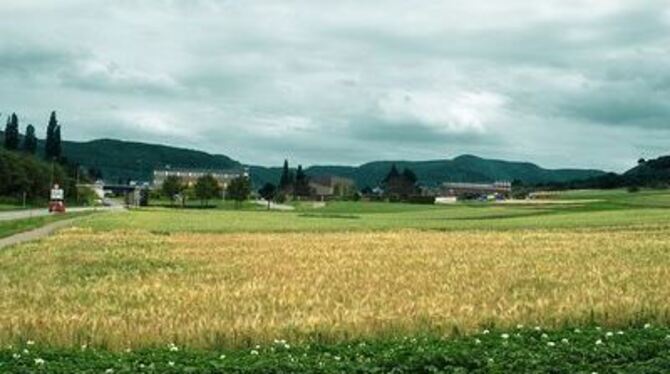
x,y
582,209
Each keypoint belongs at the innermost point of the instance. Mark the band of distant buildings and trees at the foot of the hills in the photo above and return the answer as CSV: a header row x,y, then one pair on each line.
x,y
396,187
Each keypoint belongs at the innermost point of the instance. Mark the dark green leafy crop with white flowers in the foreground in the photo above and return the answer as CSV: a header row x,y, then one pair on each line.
x,y
525,349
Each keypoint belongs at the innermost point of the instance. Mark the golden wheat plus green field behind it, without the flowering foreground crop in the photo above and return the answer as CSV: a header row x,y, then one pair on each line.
x,y
237,279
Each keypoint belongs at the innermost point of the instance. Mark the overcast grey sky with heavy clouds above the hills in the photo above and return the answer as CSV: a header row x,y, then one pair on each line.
x,y
565,83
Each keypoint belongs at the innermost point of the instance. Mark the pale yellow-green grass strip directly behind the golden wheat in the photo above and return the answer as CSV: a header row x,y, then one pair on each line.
x,y
459,217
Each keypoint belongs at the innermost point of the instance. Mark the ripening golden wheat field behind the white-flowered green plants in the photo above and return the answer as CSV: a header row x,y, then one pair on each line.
x,y
121,289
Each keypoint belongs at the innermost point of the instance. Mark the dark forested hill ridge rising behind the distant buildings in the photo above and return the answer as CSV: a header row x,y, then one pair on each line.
x,y
120,160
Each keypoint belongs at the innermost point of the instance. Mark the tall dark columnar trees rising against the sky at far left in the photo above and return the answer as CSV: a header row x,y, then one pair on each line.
x,y
52,148
